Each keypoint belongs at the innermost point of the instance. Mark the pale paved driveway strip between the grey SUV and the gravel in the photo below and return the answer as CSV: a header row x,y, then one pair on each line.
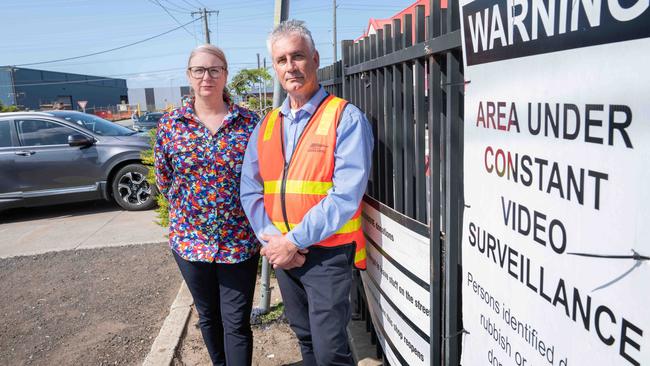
x,y
81,225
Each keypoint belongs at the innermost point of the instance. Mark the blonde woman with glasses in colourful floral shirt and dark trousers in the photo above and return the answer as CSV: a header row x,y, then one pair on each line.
x,y
199,152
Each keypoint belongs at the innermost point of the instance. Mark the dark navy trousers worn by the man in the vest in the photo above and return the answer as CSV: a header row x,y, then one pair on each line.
x,y
316,300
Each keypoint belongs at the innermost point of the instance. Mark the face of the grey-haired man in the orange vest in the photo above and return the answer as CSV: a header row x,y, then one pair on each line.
x,y
295,65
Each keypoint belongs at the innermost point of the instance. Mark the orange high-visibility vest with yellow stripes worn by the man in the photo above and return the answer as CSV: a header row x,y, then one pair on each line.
x,y
290,190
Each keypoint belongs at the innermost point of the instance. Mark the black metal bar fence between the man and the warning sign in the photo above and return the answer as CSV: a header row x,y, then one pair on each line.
x,y
410,87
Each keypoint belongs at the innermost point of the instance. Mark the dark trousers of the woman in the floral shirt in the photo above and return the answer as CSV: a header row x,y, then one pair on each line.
x,y
223,296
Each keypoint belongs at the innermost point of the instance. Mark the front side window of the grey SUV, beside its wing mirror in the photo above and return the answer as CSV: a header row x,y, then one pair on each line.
x,y
33,132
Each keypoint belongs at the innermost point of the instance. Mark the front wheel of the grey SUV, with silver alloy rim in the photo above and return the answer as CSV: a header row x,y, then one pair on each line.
x,y
131,190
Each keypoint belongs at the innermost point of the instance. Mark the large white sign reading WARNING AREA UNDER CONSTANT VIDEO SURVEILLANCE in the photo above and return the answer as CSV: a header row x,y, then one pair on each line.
x,y
556,167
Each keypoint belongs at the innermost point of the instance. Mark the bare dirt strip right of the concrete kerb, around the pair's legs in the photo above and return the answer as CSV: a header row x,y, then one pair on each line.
x,y
274,342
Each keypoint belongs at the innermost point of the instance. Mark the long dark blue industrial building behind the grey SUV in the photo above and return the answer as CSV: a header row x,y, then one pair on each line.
x,y
41,89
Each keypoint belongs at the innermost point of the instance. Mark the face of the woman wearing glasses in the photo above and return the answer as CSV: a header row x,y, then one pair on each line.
x,y
207,86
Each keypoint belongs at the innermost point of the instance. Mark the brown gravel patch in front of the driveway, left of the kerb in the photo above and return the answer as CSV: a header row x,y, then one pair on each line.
x,y
92,307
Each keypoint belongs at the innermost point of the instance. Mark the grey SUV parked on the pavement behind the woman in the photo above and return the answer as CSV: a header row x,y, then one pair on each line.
x,y
65,156
